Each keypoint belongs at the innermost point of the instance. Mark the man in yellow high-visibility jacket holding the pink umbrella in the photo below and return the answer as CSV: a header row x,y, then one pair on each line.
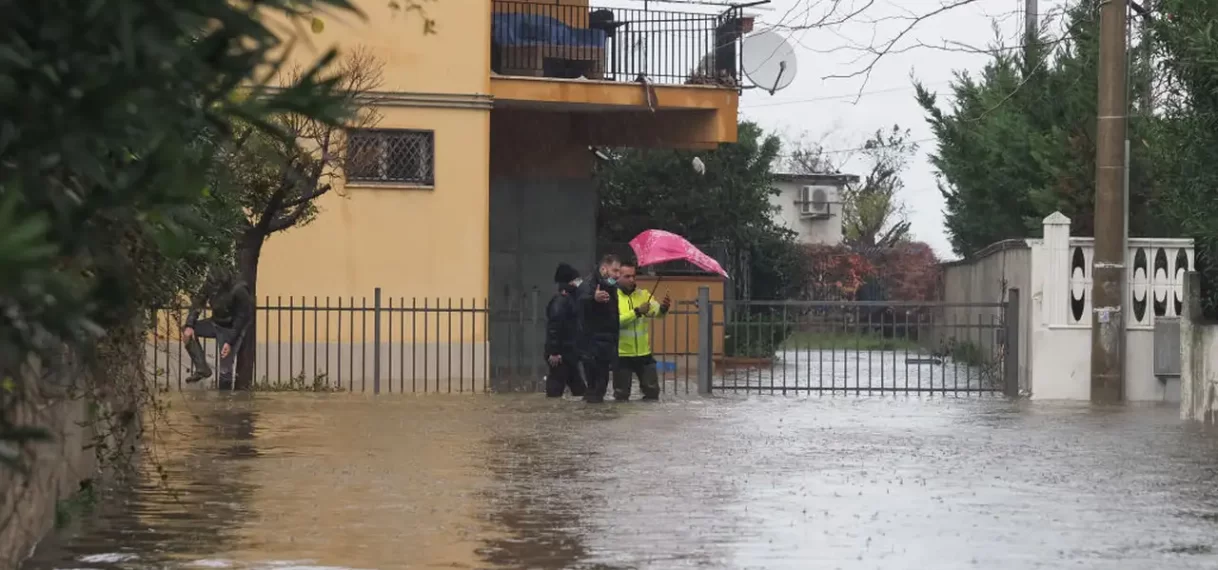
x,y
636,309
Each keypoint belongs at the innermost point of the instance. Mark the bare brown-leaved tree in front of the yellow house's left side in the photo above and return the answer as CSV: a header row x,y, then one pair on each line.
x,y
277,182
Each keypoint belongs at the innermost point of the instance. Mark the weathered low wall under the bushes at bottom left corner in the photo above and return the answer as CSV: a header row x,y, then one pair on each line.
x,y
81,413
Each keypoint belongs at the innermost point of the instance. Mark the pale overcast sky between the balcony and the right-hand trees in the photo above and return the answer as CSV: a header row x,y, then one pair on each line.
x,y
819,107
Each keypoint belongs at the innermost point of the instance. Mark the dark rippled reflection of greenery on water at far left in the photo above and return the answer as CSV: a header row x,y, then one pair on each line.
x,y
191,491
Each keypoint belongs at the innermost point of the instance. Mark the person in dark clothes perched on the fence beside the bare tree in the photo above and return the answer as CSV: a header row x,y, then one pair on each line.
x,y
232,312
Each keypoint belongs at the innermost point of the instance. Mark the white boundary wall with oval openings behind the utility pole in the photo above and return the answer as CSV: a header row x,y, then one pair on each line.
x,y
1055,312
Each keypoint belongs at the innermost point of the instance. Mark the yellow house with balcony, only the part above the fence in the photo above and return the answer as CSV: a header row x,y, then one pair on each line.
x,y
489,141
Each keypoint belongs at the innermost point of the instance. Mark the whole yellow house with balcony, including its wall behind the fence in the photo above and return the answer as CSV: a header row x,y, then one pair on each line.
x,y
482,178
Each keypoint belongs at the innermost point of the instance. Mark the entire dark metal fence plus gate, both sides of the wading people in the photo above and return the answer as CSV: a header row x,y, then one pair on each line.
x,y
416,345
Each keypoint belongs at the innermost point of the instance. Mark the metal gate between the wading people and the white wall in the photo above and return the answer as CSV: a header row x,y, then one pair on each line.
x,y
852,348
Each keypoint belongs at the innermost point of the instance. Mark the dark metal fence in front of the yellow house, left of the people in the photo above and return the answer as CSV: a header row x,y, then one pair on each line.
x,y
376,345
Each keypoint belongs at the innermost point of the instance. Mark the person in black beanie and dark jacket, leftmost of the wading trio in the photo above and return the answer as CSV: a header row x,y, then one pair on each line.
x,y
562,327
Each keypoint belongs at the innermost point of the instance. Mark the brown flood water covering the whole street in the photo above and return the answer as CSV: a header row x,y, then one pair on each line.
x,y
298,482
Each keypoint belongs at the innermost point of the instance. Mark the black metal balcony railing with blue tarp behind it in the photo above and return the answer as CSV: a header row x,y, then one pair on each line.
x,y
555,41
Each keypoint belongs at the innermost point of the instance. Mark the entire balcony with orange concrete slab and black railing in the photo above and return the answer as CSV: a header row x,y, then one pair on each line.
x,y
625,76
